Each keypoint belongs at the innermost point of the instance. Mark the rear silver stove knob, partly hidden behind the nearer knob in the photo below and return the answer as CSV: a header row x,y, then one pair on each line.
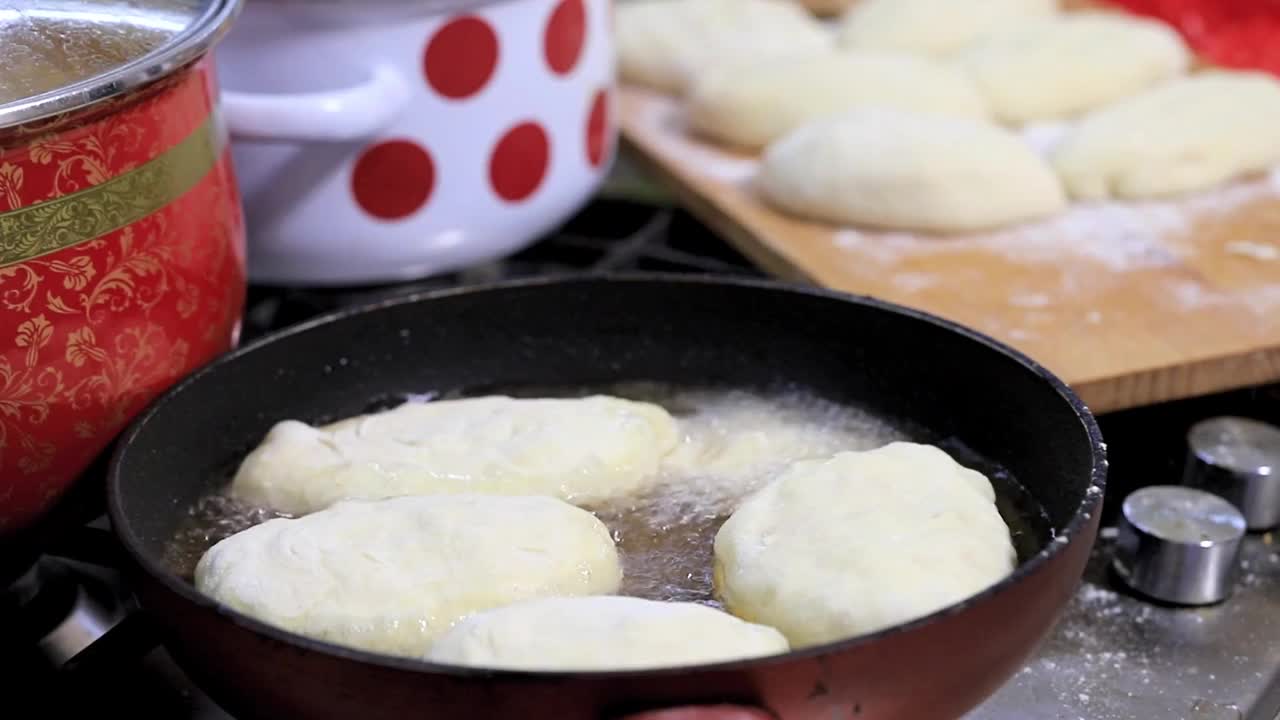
x,y
1240,461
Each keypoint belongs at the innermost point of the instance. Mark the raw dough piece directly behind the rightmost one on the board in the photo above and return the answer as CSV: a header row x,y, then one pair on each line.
x,y
1059,69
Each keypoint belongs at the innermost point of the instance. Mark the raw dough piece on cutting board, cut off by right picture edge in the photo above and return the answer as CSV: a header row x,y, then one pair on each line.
x,y
1194,134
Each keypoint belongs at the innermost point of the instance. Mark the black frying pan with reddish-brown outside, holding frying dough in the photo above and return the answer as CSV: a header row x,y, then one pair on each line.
x,y
957,388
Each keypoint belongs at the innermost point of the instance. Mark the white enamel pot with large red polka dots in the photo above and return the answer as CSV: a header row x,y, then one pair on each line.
x,y
390,142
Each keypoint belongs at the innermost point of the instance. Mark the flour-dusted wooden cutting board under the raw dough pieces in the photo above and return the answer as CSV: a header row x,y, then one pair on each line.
x,y
1130,304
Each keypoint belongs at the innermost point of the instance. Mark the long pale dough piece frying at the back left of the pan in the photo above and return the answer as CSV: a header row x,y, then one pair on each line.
x,y
580,450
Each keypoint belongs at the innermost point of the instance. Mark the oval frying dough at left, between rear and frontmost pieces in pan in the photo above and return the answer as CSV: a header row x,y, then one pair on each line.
x,y
388,576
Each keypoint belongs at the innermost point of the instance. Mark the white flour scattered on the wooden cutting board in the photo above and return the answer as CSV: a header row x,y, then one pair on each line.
x,y
1095,245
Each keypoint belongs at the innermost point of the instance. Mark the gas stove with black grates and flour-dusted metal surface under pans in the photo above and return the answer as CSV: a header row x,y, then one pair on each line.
x,y
1113,657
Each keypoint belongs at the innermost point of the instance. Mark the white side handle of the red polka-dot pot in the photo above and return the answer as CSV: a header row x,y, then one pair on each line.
x,y
346,115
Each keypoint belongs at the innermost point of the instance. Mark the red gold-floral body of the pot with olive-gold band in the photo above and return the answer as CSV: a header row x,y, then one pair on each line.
x,y
122,268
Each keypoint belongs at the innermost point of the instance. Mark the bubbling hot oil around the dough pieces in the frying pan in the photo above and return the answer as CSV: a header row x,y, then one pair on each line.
x,y
733,443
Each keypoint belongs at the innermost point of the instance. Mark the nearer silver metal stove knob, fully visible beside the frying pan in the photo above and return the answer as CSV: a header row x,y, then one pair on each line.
x,y
1180,545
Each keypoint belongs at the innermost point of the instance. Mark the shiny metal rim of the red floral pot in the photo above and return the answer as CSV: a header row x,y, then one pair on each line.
x,y
189,45
